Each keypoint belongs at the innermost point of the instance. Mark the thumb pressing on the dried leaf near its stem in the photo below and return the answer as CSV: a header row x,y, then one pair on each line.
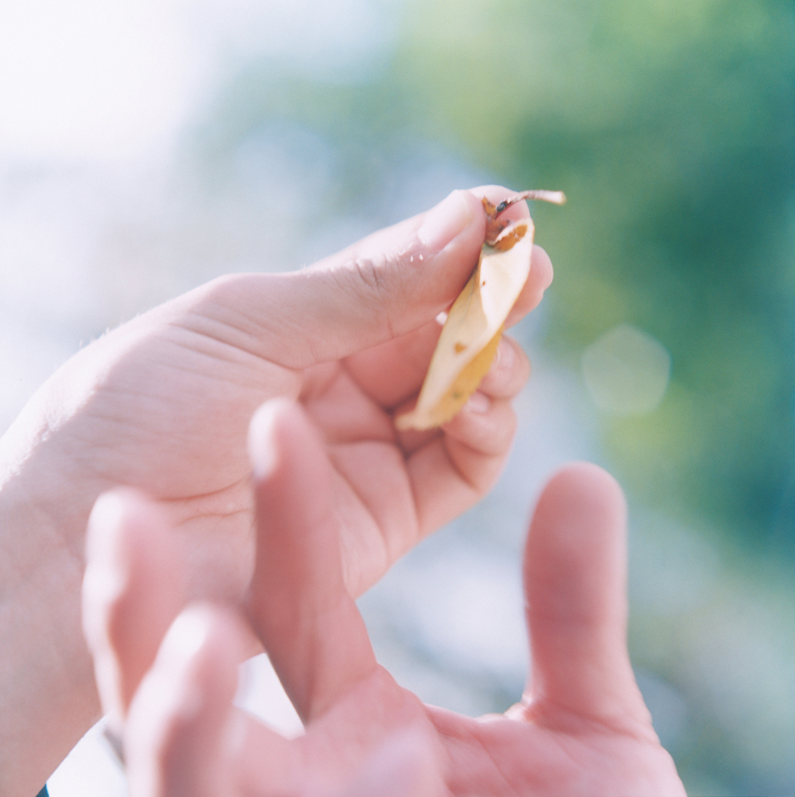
x,y
386,285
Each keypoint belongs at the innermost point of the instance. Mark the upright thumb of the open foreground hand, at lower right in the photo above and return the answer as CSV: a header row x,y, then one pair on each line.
x,y
575,583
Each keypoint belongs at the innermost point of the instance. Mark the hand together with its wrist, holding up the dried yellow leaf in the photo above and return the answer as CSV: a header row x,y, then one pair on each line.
x,y
163,403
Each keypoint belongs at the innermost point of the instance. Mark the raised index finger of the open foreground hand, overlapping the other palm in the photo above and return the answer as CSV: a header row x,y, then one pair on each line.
x,y
309,624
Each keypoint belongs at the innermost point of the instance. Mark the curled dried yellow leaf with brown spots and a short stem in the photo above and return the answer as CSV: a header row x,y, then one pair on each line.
x,y
474,325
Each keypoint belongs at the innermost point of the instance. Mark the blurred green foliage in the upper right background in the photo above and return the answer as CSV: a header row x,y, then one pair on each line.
x,y
671,126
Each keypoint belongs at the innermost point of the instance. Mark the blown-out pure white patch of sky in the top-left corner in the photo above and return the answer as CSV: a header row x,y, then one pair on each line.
x,y
92,79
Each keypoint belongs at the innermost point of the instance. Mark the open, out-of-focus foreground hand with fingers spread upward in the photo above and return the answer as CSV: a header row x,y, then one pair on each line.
x,y
581,728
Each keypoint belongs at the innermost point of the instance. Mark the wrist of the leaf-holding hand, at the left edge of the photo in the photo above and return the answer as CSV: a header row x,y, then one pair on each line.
x,y
47,694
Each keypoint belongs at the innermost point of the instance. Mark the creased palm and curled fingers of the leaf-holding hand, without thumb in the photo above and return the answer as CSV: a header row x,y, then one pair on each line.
x,y
180,426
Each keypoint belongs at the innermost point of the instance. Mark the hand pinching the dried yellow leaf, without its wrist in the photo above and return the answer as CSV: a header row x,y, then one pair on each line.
x,y
163,403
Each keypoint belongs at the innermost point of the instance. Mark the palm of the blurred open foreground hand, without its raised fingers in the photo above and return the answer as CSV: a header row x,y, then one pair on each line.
x,y
494,756
